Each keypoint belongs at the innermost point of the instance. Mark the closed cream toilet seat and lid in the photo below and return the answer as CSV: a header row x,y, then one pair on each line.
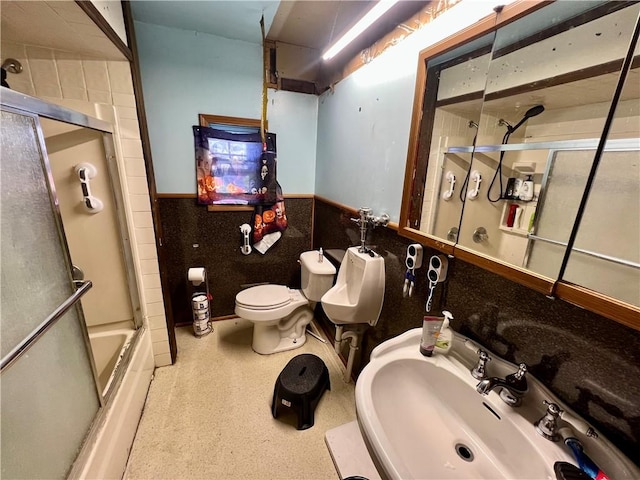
x,y
268,302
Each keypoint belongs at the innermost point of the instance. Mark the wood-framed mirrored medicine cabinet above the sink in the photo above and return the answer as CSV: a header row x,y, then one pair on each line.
x,y
510,119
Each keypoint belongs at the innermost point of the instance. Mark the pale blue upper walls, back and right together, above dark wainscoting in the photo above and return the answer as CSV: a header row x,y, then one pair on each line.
x,y
349,146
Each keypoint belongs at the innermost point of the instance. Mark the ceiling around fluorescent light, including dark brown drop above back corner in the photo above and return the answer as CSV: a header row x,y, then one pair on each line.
x,y
291,24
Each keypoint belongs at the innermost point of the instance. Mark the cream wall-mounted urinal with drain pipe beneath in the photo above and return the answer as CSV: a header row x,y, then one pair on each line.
x,y
355,301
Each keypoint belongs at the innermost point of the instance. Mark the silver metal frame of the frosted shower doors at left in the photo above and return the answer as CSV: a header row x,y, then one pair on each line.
x,y
21,104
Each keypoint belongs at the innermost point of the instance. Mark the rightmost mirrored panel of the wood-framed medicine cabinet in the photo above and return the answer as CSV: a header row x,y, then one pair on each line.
x,y
606,255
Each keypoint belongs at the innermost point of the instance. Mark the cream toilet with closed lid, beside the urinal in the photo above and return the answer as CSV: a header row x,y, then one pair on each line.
x,y
279,314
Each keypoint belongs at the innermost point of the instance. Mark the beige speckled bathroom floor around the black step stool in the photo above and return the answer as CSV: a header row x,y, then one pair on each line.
x,y
209,415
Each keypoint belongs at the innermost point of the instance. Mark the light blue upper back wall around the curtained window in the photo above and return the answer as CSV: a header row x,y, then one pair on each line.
x,y
185,73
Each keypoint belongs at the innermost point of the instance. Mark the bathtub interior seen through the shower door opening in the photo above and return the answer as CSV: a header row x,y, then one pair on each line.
x,y
108,349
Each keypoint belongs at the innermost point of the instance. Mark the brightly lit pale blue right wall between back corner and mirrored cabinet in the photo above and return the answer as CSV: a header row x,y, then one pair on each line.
x,y
363,125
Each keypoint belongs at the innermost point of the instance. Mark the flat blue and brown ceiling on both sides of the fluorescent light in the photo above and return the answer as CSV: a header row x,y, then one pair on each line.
x,y
313,24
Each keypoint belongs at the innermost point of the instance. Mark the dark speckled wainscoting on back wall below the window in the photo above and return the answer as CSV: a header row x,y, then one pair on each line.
x,y
195,237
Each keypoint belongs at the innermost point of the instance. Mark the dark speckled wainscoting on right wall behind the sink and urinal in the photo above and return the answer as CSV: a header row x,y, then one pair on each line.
x,y
590,362
